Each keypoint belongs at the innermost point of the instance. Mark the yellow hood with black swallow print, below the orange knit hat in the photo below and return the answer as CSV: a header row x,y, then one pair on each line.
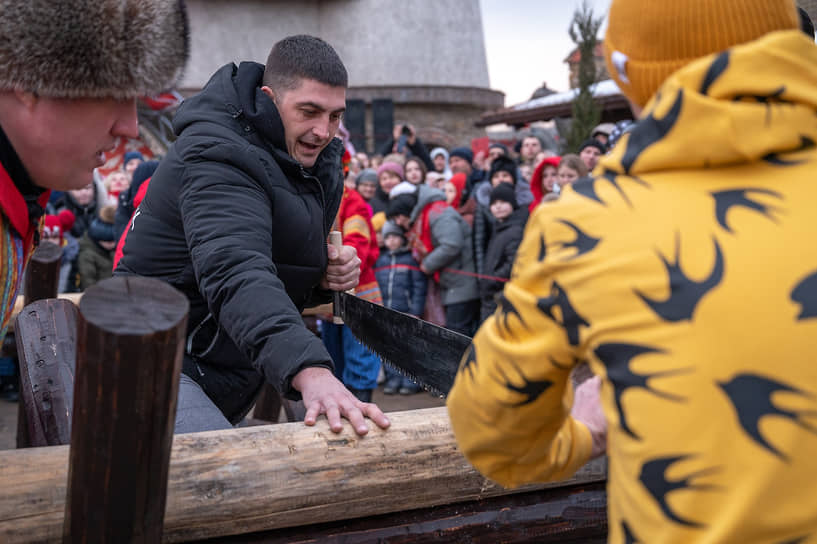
x,y
745,104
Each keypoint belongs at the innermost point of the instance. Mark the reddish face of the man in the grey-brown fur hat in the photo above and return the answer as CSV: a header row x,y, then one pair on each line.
x,y
63,140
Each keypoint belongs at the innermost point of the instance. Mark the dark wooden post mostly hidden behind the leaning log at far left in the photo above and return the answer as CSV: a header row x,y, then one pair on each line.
x,y
41,282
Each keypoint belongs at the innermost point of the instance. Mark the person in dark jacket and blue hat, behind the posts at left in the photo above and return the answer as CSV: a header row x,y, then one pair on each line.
x,y
96,249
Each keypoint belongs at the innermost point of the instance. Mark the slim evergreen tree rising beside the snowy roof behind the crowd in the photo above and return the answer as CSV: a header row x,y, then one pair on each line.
x,y
583,31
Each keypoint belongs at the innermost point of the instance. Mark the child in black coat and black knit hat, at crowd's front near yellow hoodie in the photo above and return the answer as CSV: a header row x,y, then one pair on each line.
x,y
501,251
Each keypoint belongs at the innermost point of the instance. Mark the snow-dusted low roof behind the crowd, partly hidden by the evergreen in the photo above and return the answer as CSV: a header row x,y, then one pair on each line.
x,y
606,93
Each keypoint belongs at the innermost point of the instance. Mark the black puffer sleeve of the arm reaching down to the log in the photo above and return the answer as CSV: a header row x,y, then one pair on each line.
x,y
228,228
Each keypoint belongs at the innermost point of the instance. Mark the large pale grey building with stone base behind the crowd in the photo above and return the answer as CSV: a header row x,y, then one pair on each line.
x,y
411,61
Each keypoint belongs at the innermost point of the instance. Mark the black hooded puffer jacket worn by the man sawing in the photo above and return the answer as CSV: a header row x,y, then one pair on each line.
x,y
240,227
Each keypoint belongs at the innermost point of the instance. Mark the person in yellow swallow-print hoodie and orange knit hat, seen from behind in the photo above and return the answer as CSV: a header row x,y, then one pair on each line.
x,y
685,273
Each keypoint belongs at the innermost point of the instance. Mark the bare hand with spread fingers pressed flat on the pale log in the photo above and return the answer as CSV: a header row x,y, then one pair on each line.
x,y
323,393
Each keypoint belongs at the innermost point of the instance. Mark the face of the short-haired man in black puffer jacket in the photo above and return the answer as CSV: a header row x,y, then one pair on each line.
x,y
310,113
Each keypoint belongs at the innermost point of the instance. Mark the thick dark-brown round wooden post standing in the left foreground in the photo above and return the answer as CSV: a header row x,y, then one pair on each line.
x,y
130,343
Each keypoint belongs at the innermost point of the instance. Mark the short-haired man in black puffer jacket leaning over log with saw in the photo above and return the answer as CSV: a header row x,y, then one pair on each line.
x,y
236,217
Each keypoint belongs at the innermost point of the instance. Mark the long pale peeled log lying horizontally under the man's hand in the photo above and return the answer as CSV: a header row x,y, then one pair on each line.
x,y
261,478
